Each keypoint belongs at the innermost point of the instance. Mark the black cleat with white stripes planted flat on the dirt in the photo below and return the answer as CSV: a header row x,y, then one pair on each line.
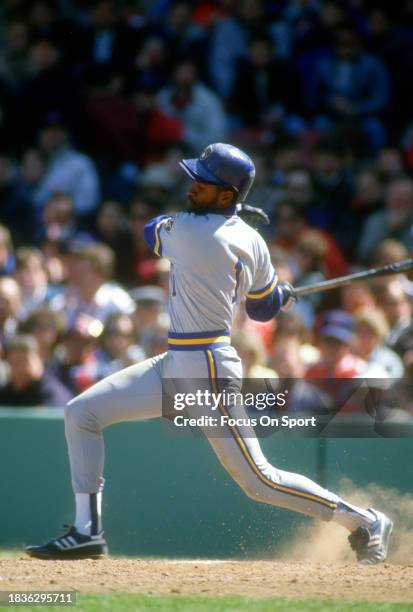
x,y
71,545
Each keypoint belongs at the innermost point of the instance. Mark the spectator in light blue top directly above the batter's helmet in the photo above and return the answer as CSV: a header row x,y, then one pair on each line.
x,y
197,107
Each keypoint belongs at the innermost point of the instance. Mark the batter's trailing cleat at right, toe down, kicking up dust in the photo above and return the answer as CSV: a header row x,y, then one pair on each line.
x,y
371,543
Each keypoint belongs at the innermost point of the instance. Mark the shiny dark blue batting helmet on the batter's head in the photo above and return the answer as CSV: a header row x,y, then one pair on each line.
x,y
222,164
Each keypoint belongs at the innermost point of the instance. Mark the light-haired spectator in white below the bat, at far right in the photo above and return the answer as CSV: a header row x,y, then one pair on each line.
x,y
371,332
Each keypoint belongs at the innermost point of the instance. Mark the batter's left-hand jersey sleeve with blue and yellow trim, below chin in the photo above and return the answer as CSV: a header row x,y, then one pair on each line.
x,y
162,235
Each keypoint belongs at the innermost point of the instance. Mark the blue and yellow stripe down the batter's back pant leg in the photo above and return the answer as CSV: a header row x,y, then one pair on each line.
x,y
212,372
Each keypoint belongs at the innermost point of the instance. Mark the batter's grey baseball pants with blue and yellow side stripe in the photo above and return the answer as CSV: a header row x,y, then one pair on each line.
x,y
136,393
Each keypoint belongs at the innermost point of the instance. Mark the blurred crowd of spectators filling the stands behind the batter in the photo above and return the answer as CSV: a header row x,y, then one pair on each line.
x,y
99,100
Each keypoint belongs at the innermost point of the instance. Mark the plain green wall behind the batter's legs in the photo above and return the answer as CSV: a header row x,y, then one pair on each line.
x,y
167,495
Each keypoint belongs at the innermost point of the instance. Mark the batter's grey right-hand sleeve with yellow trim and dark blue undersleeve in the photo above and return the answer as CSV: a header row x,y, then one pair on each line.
x,y
265,298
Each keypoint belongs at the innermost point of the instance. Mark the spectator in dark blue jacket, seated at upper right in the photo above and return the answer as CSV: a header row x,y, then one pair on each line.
x,y
351,87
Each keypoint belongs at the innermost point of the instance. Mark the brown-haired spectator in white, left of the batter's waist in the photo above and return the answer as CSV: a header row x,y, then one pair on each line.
x,y
90,290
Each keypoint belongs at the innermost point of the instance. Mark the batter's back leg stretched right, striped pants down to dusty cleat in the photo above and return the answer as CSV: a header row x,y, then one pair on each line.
x,y
240,453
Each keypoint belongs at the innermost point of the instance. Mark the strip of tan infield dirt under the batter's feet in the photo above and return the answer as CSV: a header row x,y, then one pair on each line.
x,y
246,578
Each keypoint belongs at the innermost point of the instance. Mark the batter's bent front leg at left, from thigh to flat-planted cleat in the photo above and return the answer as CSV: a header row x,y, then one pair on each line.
x,y
131,394
